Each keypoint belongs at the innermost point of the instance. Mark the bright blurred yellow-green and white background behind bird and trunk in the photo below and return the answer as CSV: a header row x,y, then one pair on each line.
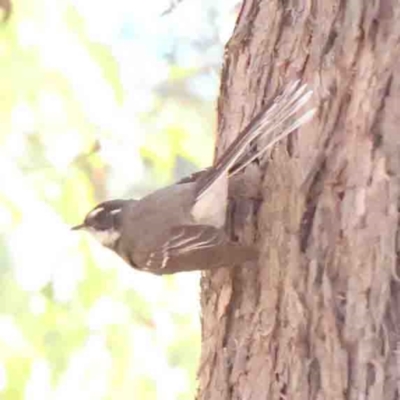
x,y
99,100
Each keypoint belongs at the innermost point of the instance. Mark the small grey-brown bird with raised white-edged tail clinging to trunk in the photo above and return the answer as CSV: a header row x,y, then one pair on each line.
x,y
181,227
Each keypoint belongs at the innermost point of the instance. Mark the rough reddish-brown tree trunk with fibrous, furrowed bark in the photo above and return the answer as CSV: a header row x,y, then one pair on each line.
x,y
319,318
